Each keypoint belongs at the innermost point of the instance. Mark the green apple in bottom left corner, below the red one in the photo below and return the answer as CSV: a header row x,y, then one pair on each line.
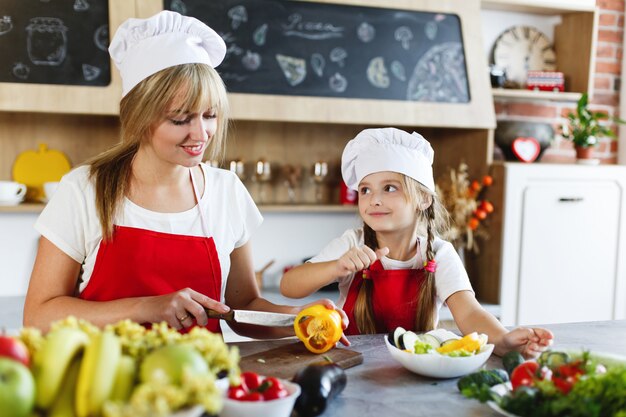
x,y
17,389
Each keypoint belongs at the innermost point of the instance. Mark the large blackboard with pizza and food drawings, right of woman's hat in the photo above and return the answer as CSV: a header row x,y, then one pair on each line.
x,y
330,50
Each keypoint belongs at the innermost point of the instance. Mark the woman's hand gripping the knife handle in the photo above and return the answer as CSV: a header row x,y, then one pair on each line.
x,y
181,309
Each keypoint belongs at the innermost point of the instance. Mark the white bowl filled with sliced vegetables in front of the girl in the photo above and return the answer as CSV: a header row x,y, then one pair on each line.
x,y
438,353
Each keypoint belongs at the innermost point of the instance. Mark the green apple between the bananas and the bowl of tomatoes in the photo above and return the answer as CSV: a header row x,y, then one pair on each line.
x,y
168,362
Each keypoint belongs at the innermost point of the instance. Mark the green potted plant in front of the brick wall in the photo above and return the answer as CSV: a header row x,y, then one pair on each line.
x,y
584,128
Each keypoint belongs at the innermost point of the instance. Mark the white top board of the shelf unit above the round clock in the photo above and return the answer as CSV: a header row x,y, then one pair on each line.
x,y
540,6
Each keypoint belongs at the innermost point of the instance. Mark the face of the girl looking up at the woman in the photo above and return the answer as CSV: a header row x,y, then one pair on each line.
x,y
384,204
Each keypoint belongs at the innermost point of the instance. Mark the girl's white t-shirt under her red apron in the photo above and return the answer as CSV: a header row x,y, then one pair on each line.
x,y
450,276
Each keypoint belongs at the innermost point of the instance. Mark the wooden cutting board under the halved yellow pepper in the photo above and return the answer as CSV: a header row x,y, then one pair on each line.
x,y
286,360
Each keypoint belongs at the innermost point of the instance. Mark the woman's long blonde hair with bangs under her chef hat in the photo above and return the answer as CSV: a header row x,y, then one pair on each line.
x,y
194,88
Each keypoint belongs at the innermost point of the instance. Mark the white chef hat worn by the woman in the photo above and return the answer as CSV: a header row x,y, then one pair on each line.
x,y
142,47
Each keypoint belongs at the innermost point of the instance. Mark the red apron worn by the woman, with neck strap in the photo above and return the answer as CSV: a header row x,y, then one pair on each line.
x,y
140,263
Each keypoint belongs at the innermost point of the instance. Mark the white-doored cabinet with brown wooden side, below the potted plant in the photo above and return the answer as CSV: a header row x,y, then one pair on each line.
x,y
556,251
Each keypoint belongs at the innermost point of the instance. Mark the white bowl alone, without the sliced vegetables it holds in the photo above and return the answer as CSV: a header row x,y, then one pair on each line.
x,y
435,365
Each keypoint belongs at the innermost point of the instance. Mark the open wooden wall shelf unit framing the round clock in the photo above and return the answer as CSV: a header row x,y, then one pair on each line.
x,y
575,36
